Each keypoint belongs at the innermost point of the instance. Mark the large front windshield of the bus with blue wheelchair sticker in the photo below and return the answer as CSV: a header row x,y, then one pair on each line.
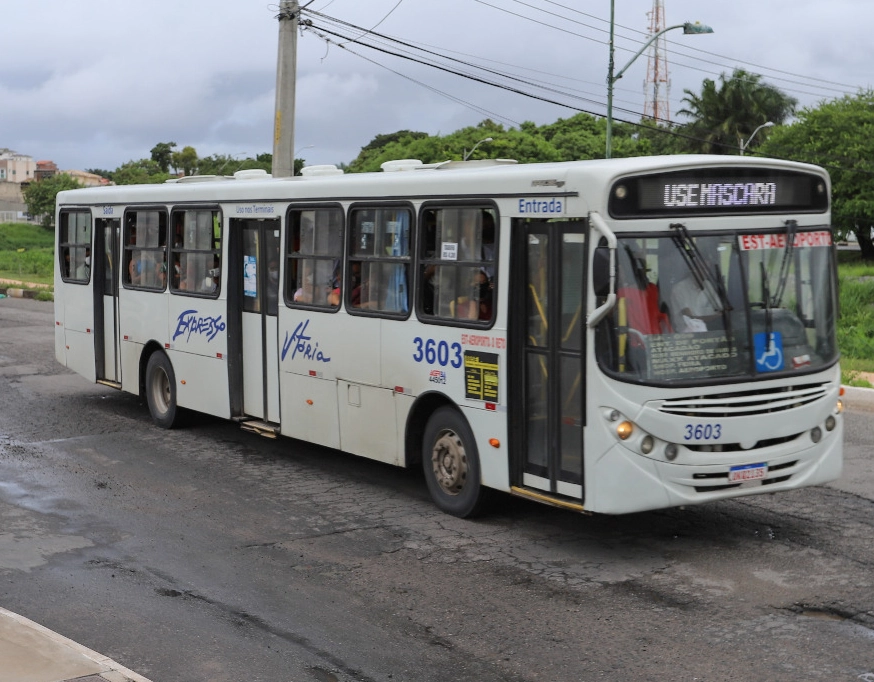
x,y
696,307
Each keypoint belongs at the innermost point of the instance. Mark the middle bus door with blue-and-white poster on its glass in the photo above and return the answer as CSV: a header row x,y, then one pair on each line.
x,y
258,291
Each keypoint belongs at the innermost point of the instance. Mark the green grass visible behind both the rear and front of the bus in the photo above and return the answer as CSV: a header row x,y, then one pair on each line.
x,y
27,254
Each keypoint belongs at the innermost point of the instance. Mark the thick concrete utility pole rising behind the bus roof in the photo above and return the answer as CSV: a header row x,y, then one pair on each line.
x,y
286,74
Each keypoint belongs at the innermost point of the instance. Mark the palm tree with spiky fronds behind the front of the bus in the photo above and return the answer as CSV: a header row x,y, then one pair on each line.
x,y
723,117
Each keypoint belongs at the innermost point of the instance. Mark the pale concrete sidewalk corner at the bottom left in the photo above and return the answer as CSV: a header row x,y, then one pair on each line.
x,y
31,653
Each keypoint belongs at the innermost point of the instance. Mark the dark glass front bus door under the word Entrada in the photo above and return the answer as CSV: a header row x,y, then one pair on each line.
x,y
547,333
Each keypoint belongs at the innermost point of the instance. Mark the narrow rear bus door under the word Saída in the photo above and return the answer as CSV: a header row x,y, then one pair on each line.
x,y
106,279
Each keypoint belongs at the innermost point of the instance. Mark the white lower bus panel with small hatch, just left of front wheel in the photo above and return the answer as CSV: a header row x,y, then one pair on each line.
x,y
368,422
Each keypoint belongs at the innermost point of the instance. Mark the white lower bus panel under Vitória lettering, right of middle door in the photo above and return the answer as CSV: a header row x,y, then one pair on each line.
x,y
309,409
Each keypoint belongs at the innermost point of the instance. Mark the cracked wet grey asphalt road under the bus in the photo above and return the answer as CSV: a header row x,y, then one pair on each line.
x,y
211,554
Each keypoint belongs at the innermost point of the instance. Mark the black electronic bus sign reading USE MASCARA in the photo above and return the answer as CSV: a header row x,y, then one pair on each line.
x,y
715,191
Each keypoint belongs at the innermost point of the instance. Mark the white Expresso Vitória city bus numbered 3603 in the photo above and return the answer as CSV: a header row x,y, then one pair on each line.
x,y
608,336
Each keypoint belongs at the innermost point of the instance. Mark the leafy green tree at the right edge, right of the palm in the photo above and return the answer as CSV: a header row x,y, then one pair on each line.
x,y
838,135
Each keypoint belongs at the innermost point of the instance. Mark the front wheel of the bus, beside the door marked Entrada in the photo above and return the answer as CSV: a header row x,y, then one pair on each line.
x,y
451,464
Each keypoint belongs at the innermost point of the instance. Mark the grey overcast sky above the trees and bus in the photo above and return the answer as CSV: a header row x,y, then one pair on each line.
x,y
96,83
